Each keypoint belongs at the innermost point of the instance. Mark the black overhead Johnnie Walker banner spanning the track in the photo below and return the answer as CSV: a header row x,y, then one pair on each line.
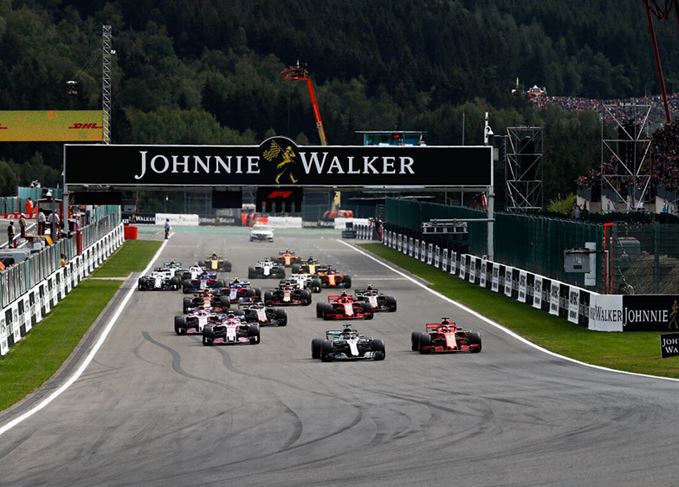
x,y
278,161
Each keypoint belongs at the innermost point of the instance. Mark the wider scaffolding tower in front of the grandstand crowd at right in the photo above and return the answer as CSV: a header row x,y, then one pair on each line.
x,y
625,165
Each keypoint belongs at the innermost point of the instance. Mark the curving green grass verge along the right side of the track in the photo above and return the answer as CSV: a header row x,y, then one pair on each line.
x,y
630,351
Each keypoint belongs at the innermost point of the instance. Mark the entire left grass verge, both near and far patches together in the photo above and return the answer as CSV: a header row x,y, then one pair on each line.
x,y
39,355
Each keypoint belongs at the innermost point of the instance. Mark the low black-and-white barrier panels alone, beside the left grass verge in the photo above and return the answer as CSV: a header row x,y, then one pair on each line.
x,y
29,309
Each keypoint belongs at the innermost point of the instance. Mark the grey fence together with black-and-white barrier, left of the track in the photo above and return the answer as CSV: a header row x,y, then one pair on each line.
x,y
30,289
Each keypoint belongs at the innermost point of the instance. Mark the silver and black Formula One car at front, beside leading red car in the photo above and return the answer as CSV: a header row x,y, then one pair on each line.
x,y
347,344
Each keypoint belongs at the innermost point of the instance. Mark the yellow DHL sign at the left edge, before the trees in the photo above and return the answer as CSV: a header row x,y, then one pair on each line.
x,y
51,126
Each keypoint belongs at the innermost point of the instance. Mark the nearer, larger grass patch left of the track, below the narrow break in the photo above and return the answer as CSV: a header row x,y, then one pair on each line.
x,y
39,355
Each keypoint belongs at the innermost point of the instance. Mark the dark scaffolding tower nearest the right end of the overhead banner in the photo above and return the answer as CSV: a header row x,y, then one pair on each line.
x,y
524,169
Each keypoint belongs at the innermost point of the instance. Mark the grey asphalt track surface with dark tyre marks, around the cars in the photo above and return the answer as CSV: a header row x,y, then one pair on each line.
x,y
157,409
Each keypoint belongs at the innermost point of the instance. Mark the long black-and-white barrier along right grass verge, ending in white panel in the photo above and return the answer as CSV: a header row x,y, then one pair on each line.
x,y
576,304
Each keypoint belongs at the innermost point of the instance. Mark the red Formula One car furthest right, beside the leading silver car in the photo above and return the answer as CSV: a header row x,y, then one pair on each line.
x,y
445,337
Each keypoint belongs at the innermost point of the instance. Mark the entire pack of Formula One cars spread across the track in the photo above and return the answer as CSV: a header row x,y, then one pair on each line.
x,y
232,312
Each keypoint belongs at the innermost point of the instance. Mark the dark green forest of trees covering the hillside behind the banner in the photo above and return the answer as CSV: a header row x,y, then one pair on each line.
x,y
199,71
